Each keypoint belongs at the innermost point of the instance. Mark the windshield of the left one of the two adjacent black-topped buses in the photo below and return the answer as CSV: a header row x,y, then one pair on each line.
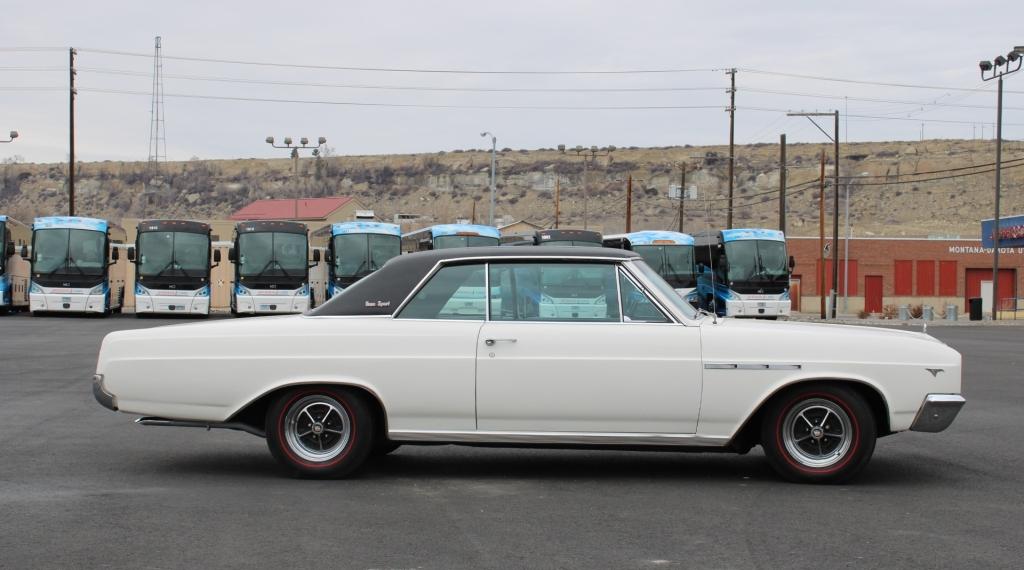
x,y
174,253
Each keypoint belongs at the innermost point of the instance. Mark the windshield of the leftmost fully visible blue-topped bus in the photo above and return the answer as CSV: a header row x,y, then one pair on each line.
x,y
75,252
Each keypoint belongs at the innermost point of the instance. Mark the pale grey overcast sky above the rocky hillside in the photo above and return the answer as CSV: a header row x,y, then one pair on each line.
x,y
936,43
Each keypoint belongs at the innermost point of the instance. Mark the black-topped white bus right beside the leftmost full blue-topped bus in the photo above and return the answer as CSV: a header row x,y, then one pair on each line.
x,y
173,268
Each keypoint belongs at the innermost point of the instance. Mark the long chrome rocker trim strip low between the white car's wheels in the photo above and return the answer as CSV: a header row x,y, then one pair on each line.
x,y
565,439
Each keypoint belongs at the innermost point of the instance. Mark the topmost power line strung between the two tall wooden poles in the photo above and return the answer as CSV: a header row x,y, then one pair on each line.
x,y
400,70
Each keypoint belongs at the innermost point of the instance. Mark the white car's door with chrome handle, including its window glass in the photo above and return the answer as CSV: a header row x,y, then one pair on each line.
x,y
581,347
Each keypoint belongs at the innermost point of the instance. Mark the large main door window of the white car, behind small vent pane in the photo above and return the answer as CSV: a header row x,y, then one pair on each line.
x,y
554,292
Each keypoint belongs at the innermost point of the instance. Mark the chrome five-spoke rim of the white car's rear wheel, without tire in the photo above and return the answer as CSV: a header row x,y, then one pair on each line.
x,y
318,428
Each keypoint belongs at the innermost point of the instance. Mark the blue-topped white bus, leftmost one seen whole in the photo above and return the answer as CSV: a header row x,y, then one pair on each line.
x,y
75,266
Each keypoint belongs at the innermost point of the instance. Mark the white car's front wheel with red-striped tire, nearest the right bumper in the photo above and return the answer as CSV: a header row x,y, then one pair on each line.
x,y
819,434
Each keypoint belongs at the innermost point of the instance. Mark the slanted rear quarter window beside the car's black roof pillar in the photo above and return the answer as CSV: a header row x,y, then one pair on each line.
x,y
455,293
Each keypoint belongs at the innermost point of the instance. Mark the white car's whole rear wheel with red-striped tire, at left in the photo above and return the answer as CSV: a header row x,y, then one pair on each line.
x,y
321,432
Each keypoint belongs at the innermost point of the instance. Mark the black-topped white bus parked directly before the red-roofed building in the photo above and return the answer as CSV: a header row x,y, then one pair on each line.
x,y
272,268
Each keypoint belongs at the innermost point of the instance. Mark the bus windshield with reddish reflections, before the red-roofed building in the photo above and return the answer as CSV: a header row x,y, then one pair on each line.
x,y
273,254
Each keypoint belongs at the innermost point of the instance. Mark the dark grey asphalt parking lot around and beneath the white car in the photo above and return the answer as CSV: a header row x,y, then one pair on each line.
x,y
84,488
